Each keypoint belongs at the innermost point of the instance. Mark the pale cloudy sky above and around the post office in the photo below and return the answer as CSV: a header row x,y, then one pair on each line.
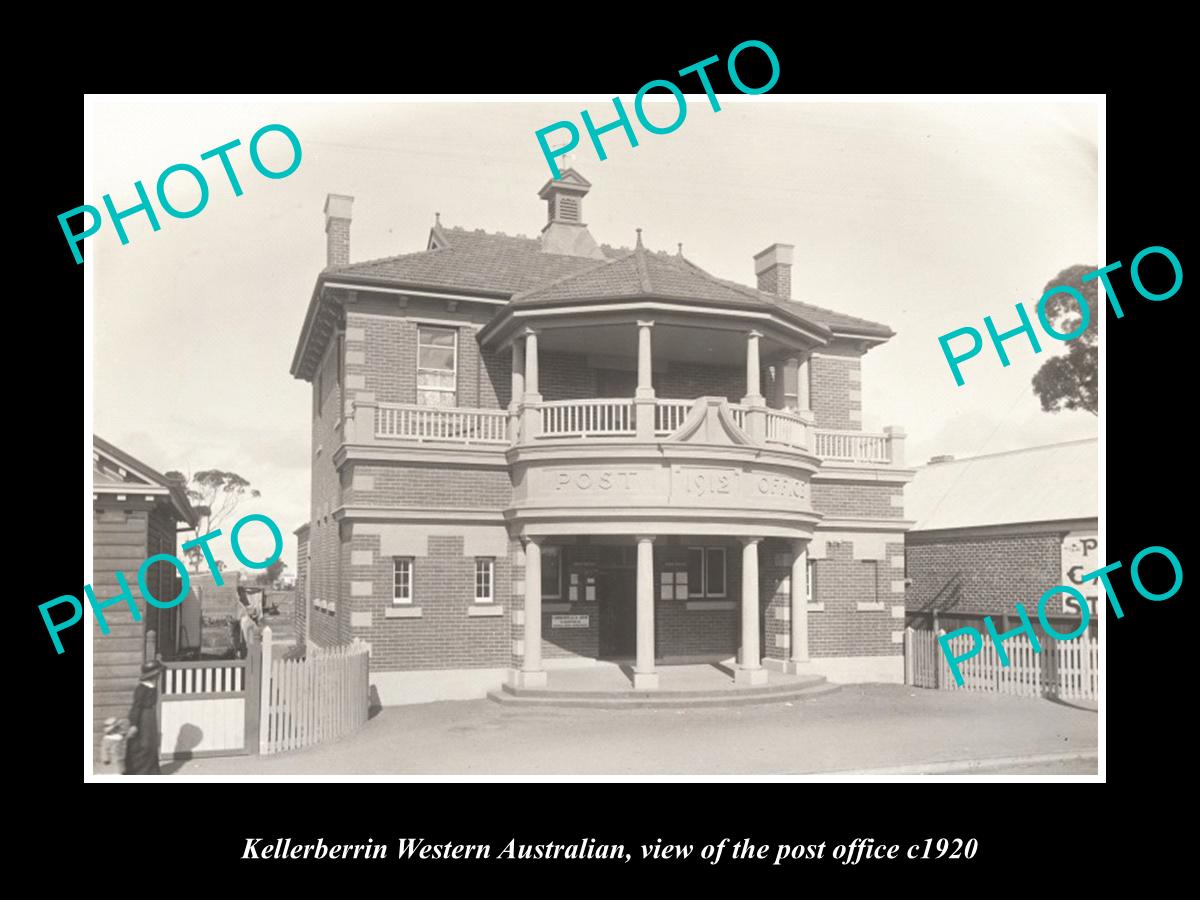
x,y
923,217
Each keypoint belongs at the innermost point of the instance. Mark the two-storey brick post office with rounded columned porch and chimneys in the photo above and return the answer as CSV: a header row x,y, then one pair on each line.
x,y
537,453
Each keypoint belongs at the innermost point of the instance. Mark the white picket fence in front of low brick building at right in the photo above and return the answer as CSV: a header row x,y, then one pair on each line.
x,y
1069,670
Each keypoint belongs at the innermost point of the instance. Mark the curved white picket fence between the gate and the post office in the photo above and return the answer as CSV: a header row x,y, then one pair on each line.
x,y
316,699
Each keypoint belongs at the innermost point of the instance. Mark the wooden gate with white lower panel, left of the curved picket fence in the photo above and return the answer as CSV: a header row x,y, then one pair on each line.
x,y
211,707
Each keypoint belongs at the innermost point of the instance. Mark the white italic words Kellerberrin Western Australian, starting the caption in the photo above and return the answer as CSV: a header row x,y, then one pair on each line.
x,y
419,849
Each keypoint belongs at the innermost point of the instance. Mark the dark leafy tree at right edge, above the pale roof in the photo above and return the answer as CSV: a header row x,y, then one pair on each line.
x,y
1070,382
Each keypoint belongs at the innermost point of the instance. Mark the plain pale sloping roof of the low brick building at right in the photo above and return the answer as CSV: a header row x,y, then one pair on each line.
x,y
1039,484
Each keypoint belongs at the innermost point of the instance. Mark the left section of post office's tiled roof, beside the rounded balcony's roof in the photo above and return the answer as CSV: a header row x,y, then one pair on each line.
x,y
472,261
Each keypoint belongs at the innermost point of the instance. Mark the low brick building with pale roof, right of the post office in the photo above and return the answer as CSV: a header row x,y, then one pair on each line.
x,y
994,530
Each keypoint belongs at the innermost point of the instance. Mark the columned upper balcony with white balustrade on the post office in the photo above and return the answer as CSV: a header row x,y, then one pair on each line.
x,y
773,413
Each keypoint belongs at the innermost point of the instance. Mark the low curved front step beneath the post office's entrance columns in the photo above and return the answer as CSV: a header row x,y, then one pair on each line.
x,y
811,687
